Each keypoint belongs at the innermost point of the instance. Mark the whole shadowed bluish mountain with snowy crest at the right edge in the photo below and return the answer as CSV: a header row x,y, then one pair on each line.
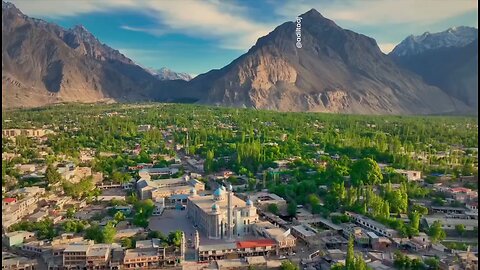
x,y
449,61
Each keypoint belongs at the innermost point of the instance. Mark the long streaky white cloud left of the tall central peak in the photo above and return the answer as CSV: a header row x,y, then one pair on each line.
x,y
211,19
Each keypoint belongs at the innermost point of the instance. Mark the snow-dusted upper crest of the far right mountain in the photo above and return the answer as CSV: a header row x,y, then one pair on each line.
x,y
452,37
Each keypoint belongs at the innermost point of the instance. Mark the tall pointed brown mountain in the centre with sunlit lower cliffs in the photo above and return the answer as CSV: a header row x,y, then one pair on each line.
x,y
336,70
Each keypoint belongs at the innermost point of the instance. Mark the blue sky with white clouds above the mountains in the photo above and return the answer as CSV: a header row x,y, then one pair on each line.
x,y
195,36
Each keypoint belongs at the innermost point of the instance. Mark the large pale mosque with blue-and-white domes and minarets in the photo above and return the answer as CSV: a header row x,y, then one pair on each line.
x,y
221,215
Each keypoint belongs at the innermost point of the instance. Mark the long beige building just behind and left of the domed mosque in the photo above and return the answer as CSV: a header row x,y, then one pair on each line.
x,y
164,188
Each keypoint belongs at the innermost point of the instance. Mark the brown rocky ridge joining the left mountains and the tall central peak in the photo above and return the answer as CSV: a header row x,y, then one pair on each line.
x,y
336,70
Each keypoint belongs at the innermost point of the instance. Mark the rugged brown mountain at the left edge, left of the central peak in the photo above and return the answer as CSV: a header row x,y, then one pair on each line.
x,y
43,63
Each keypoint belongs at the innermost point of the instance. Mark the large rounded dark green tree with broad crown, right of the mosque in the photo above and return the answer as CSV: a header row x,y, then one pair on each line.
x,y
365,172
